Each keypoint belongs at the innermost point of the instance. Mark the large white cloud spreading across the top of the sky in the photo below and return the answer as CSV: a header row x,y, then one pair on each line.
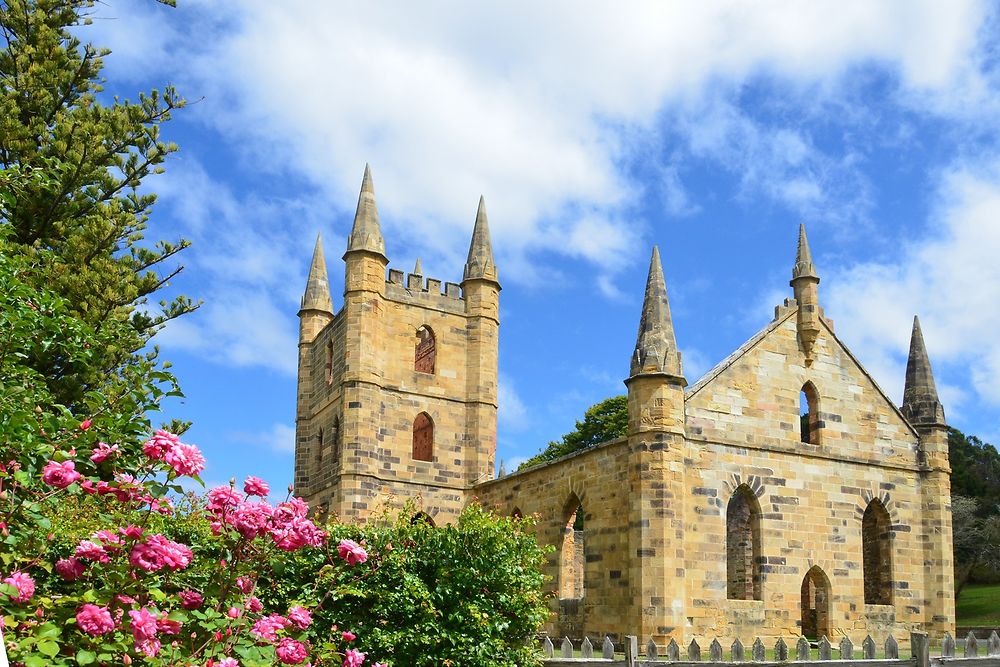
x,y
540,105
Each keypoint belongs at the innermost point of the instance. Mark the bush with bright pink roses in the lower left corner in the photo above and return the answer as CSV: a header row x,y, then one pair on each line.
x,y
98,565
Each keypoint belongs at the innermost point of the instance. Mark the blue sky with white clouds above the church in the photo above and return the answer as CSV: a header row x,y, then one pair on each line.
x,y
709,129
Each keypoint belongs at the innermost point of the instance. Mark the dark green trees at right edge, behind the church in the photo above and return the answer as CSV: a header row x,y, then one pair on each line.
x,y
975,470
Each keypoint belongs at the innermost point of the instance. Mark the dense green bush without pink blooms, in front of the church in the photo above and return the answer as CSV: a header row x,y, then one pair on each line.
x,y
465,595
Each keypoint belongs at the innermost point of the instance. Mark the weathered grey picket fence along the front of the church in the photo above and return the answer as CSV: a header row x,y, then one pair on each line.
x,y
919,648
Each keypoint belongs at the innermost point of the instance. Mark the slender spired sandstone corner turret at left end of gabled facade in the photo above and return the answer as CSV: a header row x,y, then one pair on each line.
x,y
657,446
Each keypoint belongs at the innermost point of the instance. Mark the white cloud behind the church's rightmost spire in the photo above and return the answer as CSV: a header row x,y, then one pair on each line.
x,y
950,278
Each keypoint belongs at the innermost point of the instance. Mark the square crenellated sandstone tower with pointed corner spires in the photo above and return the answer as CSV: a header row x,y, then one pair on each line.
x,y
397,391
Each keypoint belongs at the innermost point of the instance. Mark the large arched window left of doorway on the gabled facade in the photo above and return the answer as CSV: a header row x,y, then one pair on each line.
x,y
743,580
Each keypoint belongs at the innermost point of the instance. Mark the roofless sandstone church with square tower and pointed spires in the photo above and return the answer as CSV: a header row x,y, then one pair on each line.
x,y
722,513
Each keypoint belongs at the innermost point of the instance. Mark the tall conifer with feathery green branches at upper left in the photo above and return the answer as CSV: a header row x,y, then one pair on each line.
x,y
82,224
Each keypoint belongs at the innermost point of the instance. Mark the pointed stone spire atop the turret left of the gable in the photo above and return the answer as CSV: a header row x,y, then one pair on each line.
x,y
656,347
